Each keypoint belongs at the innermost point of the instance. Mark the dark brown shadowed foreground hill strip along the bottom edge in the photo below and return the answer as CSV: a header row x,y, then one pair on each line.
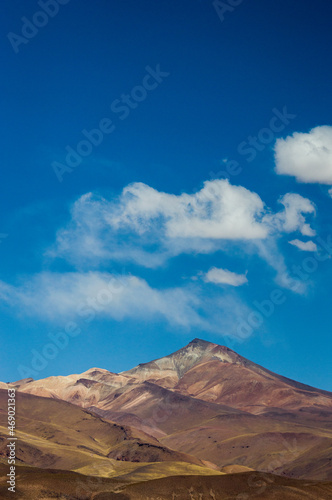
x,y
40,484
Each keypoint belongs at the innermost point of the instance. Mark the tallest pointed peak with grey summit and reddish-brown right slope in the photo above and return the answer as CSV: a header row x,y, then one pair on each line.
x,y
217,374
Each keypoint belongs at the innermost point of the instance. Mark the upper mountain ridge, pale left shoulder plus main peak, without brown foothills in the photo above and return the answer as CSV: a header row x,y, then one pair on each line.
x,y
202,370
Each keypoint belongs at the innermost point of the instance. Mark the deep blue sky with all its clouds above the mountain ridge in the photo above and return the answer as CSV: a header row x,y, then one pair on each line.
x,y
203,178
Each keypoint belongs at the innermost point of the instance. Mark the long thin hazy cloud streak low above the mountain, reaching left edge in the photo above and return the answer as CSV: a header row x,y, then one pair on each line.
x,y
84,296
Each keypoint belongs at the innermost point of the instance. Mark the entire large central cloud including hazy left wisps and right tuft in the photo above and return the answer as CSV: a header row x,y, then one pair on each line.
x,y
148,227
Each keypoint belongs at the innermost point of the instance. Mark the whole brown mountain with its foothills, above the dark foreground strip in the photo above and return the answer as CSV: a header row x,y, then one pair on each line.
x,y
202,410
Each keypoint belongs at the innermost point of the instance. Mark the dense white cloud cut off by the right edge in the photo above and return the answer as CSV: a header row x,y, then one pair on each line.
x,y
308,157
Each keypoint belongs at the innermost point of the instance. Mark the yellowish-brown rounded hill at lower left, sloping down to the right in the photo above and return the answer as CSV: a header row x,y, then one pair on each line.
x,y
54,433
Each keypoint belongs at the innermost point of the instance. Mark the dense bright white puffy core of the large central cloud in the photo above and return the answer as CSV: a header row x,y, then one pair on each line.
x,y
218,211
